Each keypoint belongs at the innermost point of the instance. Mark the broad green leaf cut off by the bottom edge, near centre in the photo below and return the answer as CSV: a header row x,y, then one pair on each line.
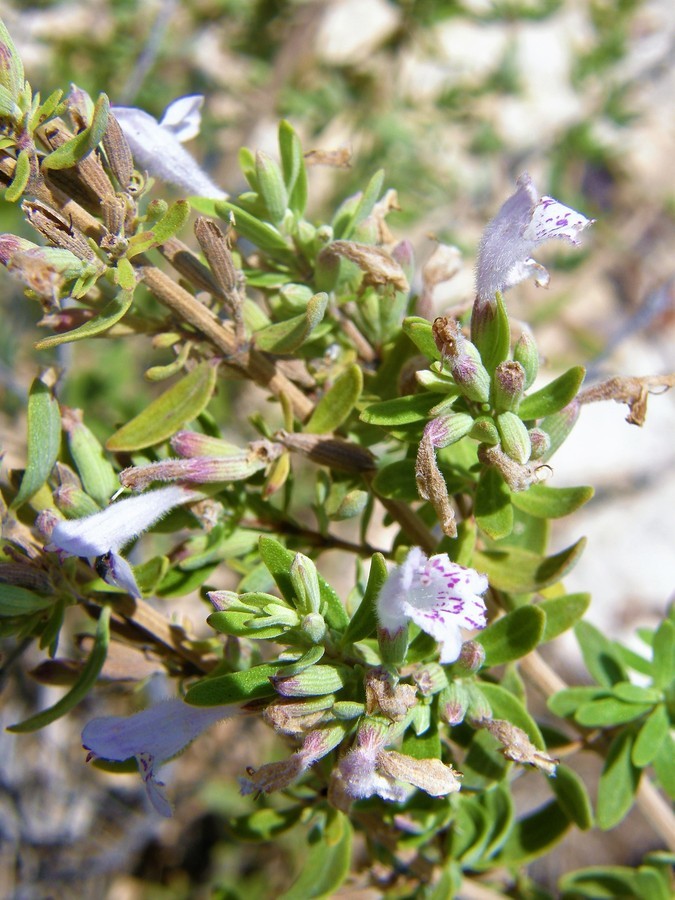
x,y
326,866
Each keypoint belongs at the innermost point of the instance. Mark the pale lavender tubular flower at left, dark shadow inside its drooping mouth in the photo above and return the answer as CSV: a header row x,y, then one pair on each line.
x,y
103,534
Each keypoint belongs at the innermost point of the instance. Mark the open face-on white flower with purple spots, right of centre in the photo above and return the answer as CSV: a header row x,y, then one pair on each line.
x,y
438,595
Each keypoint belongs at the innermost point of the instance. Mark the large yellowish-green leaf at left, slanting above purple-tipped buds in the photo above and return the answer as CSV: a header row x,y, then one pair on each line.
x,y
169,412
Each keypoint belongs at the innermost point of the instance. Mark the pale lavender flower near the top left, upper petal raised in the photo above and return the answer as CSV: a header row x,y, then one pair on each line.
x,y
157,146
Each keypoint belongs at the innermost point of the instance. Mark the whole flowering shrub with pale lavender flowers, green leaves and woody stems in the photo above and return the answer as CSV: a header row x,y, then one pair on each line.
x,y
403,704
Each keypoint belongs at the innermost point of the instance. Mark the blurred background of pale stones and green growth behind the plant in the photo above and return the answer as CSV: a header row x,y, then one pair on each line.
x,y
454,100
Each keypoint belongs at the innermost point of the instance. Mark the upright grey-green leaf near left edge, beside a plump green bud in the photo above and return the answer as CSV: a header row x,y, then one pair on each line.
x,y
44,440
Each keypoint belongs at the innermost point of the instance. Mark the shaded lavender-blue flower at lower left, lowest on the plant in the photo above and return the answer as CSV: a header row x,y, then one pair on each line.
x,y
152,736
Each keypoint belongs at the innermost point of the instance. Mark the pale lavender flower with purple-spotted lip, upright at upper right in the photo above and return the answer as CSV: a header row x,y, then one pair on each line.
x,y
524,221
